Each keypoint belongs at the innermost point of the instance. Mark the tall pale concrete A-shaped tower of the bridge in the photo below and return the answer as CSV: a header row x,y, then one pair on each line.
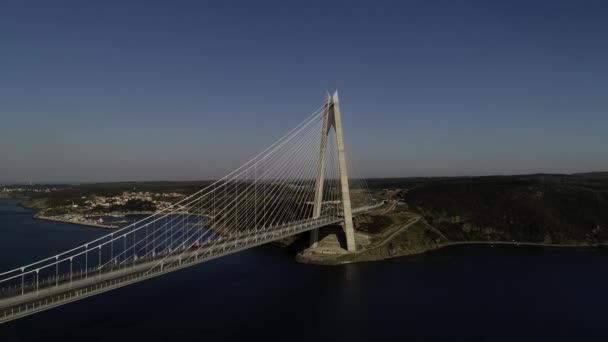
x,y
332,118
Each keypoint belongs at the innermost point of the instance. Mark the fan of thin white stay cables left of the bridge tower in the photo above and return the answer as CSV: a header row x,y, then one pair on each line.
x,y
271,194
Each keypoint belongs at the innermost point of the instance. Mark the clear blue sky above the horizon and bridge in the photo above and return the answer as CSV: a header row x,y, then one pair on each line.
x,y
172,90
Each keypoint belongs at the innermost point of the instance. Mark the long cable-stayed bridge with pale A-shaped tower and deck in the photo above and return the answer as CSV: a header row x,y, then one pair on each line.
x,y
298,184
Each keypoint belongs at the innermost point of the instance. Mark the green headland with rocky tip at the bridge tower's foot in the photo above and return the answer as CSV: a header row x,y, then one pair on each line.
x,y
423,214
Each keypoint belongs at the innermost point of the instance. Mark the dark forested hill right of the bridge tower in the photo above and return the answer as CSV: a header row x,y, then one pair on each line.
x,y
534,208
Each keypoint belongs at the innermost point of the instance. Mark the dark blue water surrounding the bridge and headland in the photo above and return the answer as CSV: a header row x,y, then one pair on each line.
x,y
478,293
